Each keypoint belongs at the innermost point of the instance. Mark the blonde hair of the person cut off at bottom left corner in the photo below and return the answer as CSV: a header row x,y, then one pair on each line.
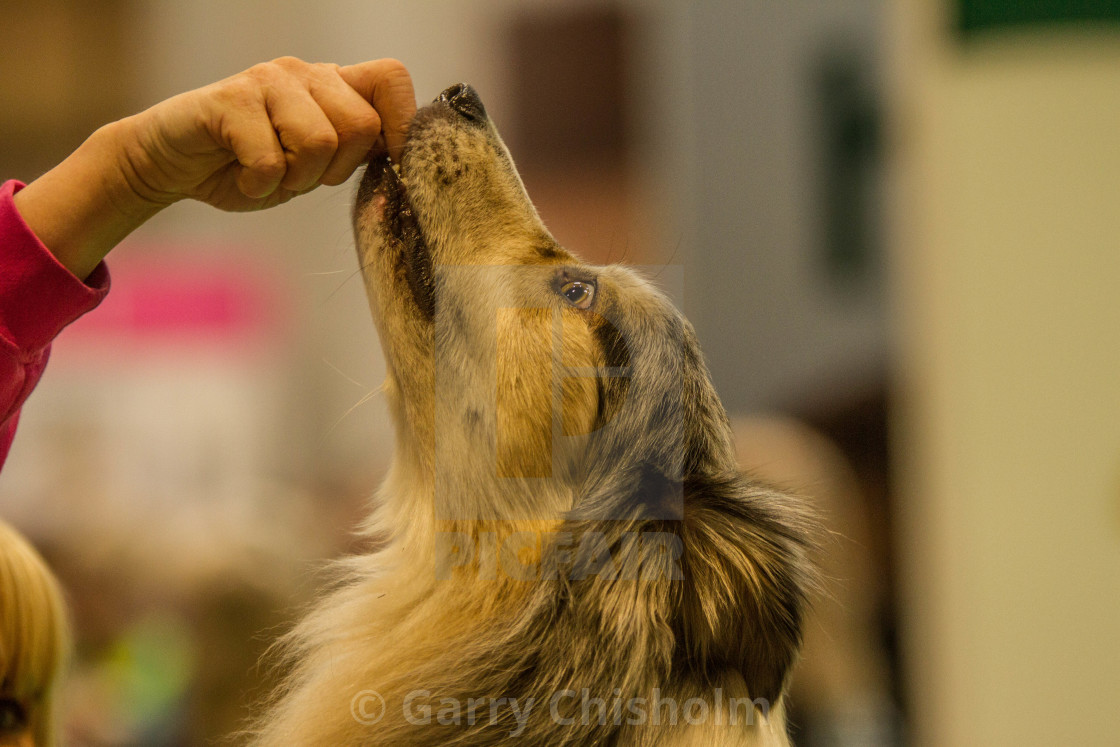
x,y
34,633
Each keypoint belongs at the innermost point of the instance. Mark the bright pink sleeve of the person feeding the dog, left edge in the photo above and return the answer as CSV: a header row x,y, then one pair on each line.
x,y
39,297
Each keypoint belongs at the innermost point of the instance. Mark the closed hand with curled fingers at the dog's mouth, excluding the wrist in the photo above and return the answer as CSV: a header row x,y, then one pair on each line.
x,y
262,137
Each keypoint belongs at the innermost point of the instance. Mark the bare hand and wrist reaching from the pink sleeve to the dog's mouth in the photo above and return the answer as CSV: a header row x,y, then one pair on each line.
x,y
251,142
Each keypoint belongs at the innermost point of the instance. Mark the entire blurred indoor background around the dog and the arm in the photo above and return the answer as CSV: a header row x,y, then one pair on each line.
x,y
890,229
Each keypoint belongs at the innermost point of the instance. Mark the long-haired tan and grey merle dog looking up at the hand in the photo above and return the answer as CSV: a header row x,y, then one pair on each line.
x,y
563,552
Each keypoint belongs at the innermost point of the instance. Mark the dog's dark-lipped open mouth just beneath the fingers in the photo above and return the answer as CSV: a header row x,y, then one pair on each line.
x,y
384,186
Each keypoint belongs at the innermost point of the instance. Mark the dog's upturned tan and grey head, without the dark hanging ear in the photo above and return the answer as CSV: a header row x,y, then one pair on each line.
x,y
502,344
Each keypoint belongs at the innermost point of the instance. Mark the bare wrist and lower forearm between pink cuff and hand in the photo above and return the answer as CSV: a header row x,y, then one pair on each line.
x,y
85,207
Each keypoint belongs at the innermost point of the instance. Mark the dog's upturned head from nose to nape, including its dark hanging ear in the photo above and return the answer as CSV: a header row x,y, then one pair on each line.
x,y
529,385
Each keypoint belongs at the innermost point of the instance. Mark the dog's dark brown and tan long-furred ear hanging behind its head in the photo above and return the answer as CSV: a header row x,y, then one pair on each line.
x,y
748,576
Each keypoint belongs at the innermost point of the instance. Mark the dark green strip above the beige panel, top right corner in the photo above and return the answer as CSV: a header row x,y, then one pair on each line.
x,y
984,15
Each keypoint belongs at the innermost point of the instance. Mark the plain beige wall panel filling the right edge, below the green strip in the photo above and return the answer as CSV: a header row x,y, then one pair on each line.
x,y
1006,277
